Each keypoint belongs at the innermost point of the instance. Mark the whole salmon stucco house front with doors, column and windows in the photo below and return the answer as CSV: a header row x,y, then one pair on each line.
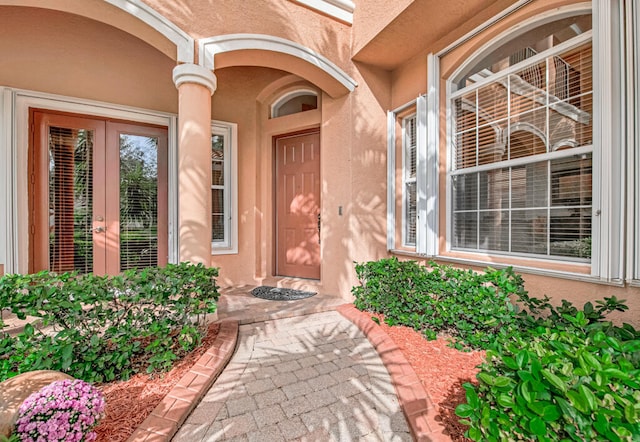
x,y
283,141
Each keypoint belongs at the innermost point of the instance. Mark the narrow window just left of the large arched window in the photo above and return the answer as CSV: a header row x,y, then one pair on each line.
x,y
410,146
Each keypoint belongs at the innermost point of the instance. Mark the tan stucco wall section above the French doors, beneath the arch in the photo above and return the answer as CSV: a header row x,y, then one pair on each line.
x,y
66,54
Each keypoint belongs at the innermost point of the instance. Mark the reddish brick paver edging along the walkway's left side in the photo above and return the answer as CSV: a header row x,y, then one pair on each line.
x,y
164,421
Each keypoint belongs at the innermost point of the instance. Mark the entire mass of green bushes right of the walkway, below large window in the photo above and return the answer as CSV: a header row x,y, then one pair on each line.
x,y
552,372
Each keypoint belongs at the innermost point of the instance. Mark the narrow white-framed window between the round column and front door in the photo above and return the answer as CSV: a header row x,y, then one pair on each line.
x,y
223,189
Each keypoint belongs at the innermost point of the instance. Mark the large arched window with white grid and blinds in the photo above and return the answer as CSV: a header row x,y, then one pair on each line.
x,y
520,165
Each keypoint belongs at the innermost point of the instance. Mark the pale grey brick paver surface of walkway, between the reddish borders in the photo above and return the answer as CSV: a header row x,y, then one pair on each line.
x,y
313,378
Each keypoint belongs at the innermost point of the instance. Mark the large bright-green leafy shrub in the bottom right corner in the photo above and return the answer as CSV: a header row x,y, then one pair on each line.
x,y
569,384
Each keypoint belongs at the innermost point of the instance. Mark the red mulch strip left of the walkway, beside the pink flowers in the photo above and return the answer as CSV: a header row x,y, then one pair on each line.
x,y
130,402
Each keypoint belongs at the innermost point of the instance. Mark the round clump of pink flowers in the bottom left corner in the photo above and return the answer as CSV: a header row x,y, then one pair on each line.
x,y
62,411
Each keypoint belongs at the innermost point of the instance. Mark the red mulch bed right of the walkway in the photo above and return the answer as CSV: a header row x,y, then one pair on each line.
x,y
442,371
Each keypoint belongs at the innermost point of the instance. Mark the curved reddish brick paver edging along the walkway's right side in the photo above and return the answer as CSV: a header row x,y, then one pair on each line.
x,y
416,404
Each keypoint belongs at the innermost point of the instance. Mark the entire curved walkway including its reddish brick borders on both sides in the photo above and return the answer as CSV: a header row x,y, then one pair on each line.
x,y
309,370
